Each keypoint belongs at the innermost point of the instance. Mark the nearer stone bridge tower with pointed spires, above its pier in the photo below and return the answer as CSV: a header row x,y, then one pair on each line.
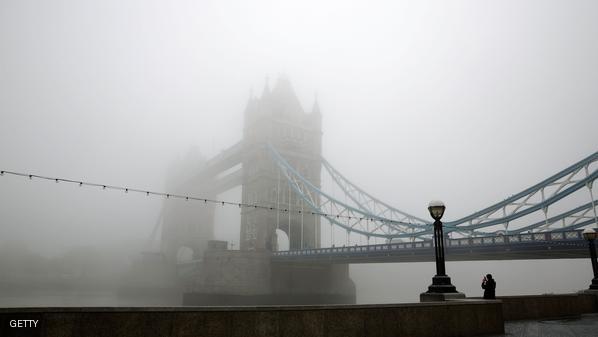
x,y
277,118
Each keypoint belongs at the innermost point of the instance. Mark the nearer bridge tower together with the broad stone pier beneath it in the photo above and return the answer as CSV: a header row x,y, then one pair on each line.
x,y
249,276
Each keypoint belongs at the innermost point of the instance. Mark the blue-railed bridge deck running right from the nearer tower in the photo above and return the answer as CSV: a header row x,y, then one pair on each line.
x,y
549,245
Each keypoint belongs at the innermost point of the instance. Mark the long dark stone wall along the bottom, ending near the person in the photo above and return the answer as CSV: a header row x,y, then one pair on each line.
x,y
469,318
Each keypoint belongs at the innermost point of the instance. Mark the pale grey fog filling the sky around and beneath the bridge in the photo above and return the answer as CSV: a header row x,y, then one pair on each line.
x,y
464,101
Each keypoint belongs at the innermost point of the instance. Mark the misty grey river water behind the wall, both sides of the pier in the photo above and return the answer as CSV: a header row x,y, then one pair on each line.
x,y
375,283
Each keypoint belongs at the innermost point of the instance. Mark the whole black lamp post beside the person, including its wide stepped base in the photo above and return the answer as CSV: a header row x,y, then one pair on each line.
x,y
441,287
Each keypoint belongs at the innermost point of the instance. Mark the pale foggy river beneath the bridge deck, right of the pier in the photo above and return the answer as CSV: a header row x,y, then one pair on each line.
x,y
396,283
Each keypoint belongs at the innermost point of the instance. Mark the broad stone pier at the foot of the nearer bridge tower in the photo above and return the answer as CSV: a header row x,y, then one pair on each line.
x,y
233,277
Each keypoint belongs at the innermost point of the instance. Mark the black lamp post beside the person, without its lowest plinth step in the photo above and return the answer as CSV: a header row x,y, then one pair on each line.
x,y
441,283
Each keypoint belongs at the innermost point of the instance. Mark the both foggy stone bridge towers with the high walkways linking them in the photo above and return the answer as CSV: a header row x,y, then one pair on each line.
x,y
275,118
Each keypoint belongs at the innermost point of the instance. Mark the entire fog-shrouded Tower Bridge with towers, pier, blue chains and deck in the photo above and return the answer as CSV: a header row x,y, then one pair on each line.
x,y
279,166
